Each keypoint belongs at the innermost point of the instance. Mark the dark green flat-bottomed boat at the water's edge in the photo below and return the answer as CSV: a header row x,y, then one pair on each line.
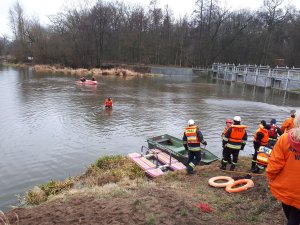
x,y
174,146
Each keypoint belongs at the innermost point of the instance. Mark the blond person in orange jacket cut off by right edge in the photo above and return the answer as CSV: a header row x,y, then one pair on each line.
x,y
283,172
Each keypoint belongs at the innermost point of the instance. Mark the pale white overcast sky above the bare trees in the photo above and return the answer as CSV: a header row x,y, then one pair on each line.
x,y
43,8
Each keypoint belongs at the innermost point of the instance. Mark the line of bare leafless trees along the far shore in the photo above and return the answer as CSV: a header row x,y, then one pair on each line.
x,y
115,32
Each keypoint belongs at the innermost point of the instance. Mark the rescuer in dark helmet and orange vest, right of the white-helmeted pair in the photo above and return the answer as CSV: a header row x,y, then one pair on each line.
x,y
261,138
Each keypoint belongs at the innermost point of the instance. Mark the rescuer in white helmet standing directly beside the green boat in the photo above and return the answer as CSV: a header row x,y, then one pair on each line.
x,y
192,138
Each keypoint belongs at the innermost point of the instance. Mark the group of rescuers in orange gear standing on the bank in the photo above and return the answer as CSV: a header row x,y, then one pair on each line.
x,y
283,167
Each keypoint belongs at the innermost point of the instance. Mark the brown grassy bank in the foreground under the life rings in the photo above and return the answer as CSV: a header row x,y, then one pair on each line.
x,y
114,190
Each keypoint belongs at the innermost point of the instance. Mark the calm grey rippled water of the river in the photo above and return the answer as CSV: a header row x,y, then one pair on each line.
x,y
52,128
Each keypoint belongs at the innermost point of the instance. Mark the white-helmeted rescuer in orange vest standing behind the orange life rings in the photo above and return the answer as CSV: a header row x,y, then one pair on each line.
x,y
234,140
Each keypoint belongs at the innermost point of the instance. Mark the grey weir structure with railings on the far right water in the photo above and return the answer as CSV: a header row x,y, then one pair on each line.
x,y
283,78
